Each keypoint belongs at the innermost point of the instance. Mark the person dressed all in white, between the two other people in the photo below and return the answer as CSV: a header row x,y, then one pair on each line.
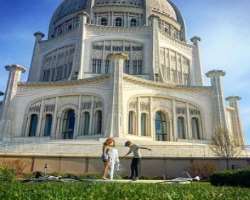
x,y
113,161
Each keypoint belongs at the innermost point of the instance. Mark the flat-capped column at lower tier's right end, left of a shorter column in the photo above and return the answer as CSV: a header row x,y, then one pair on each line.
x,y
218,97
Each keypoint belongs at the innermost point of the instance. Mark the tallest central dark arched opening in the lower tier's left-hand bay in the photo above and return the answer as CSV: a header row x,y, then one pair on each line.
x,y
68,124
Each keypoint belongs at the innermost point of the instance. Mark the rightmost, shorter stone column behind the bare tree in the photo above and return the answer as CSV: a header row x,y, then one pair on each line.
x,y
237,126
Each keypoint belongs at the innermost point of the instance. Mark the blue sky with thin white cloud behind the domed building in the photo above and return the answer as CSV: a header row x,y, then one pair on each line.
x,y
223,26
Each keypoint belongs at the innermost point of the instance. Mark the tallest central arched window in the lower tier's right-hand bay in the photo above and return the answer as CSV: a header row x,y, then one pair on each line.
x,y
160,127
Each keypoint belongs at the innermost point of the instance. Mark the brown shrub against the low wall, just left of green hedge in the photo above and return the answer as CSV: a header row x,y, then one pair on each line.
x,y
202,169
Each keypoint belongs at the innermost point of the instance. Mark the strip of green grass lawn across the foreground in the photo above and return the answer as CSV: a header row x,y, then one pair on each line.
x,y
110,191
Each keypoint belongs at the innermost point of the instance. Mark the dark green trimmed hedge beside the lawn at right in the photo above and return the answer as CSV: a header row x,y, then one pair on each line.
x,y
231,178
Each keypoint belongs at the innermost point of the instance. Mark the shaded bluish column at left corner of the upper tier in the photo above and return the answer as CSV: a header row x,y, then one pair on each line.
x,y
34,72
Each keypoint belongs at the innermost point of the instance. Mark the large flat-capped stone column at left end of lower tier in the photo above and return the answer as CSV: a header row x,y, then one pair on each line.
x,y
15,72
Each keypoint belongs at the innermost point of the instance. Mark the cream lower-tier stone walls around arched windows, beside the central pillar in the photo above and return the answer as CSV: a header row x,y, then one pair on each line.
x,y
160,97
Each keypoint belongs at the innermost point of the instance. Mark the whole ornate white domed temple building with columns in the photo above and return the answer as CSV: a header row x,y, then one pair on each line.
x,y
115,68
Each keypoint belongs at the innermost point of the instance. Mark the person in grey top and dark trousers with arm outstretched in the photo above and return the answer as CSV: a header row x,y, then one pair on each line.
x,y
136,161
